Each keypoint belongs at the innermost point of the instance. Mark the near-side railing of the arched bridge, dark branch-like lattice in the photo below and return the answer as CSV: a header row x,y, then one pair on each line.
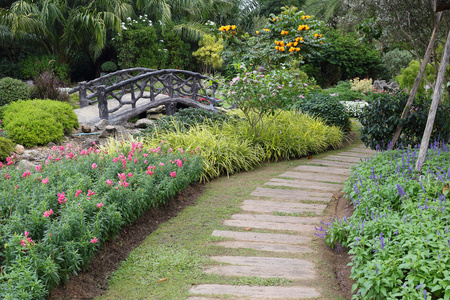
x,y
174,84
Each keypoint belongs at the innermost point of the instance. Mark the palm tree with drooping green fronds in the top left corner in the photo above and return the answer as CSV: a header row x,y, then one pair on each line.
x,y
64,27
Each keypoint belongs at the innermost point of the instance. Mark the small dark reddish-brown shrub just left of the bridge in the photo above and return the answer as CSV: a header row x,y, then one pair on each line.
x,y
46,86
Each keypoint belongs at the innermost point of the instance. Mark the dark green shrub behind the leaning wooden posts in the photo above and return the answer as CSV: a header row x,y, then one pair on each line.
x,y
381,117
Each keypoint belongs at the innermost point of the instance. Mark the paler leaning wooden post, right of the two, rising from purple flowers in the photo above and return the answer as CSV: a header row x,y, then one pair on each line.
x,y
434,105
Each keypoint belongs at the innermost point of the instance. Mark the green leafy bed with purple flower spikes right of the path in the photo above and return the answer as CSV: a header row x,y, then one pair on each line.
x,y
394,258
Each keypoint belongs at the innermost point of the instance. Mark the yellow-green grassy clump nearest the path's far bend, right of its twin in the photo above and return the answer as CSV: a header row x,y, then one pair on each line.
x,y
293,134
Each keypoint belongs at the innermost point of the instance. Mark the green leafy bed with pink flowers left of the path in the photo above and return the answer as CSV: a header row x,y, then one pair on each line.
x,y
61,213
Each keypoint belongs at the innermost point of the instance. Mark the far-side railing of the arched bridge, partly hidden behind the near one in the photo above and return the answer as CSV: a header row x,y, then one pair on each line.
x,y
108,80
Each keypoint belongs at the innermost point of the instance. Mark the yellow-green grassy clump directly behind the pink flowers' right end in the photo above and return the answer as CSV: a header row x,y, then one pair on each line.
x,y
222,149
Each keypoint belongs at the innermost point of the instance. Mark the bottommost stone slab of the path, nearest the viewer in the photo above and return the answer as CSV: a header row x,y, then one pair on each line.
x,y
266,292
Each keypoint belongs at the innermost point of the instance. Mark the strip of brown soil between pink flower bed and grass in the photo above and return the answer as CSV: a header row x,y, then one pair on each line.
x,y
93,282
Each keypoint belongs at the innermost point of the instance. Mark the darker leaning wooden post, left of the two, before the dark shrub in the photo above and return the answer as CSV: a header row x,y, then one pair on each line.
x,y
413,92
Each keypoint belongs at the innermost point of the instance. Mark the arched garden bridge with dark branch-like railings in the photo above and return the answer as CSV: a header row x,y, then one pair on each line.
x,y
167,87
